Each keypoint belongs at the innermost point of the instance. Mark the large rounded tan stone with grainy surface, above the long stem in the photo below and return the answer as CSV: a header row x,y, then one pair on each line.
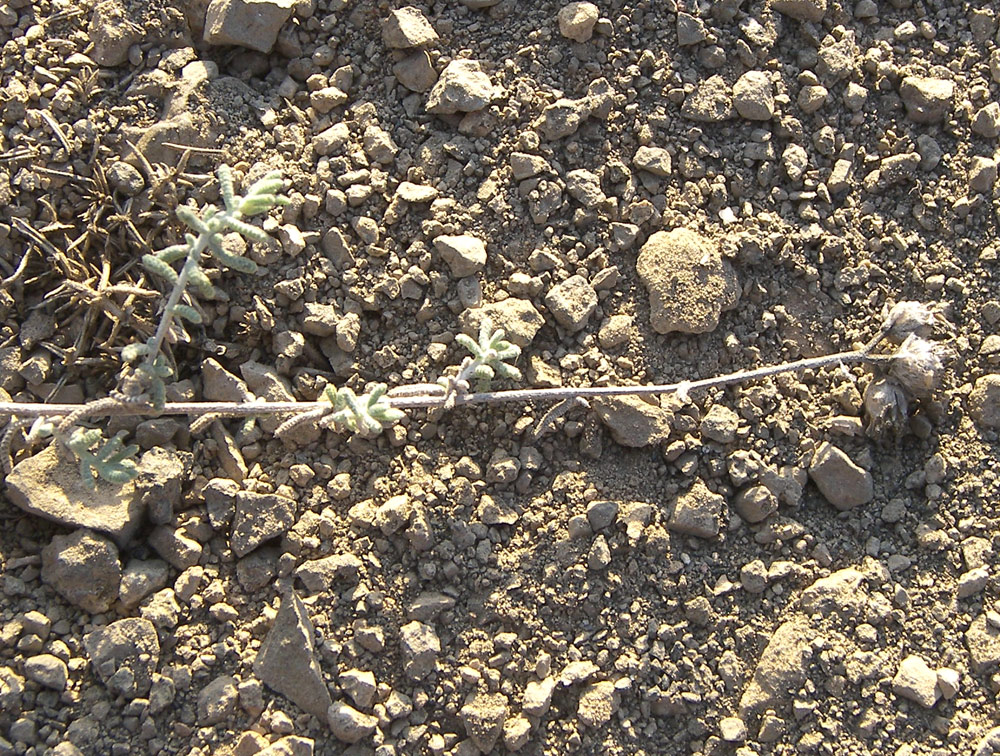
x,y
689,282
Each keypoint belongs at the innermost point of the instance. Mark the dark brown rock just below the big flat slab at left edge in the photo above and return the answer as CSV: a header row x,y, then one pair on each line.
x,y
84,569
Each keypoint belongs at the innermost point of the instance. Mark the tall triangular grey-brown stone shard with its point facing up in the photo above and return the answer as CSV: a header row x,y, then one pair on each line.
x,y
286,662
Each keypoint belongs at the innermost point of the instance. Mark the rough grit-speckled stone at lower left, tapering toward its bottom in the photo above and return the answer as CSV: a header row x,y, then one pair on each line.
x,y
125,655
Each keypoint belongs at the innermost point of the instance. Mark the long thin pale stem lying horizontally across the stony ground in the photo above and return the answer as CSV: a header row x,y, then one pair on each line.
x,y
242,409
